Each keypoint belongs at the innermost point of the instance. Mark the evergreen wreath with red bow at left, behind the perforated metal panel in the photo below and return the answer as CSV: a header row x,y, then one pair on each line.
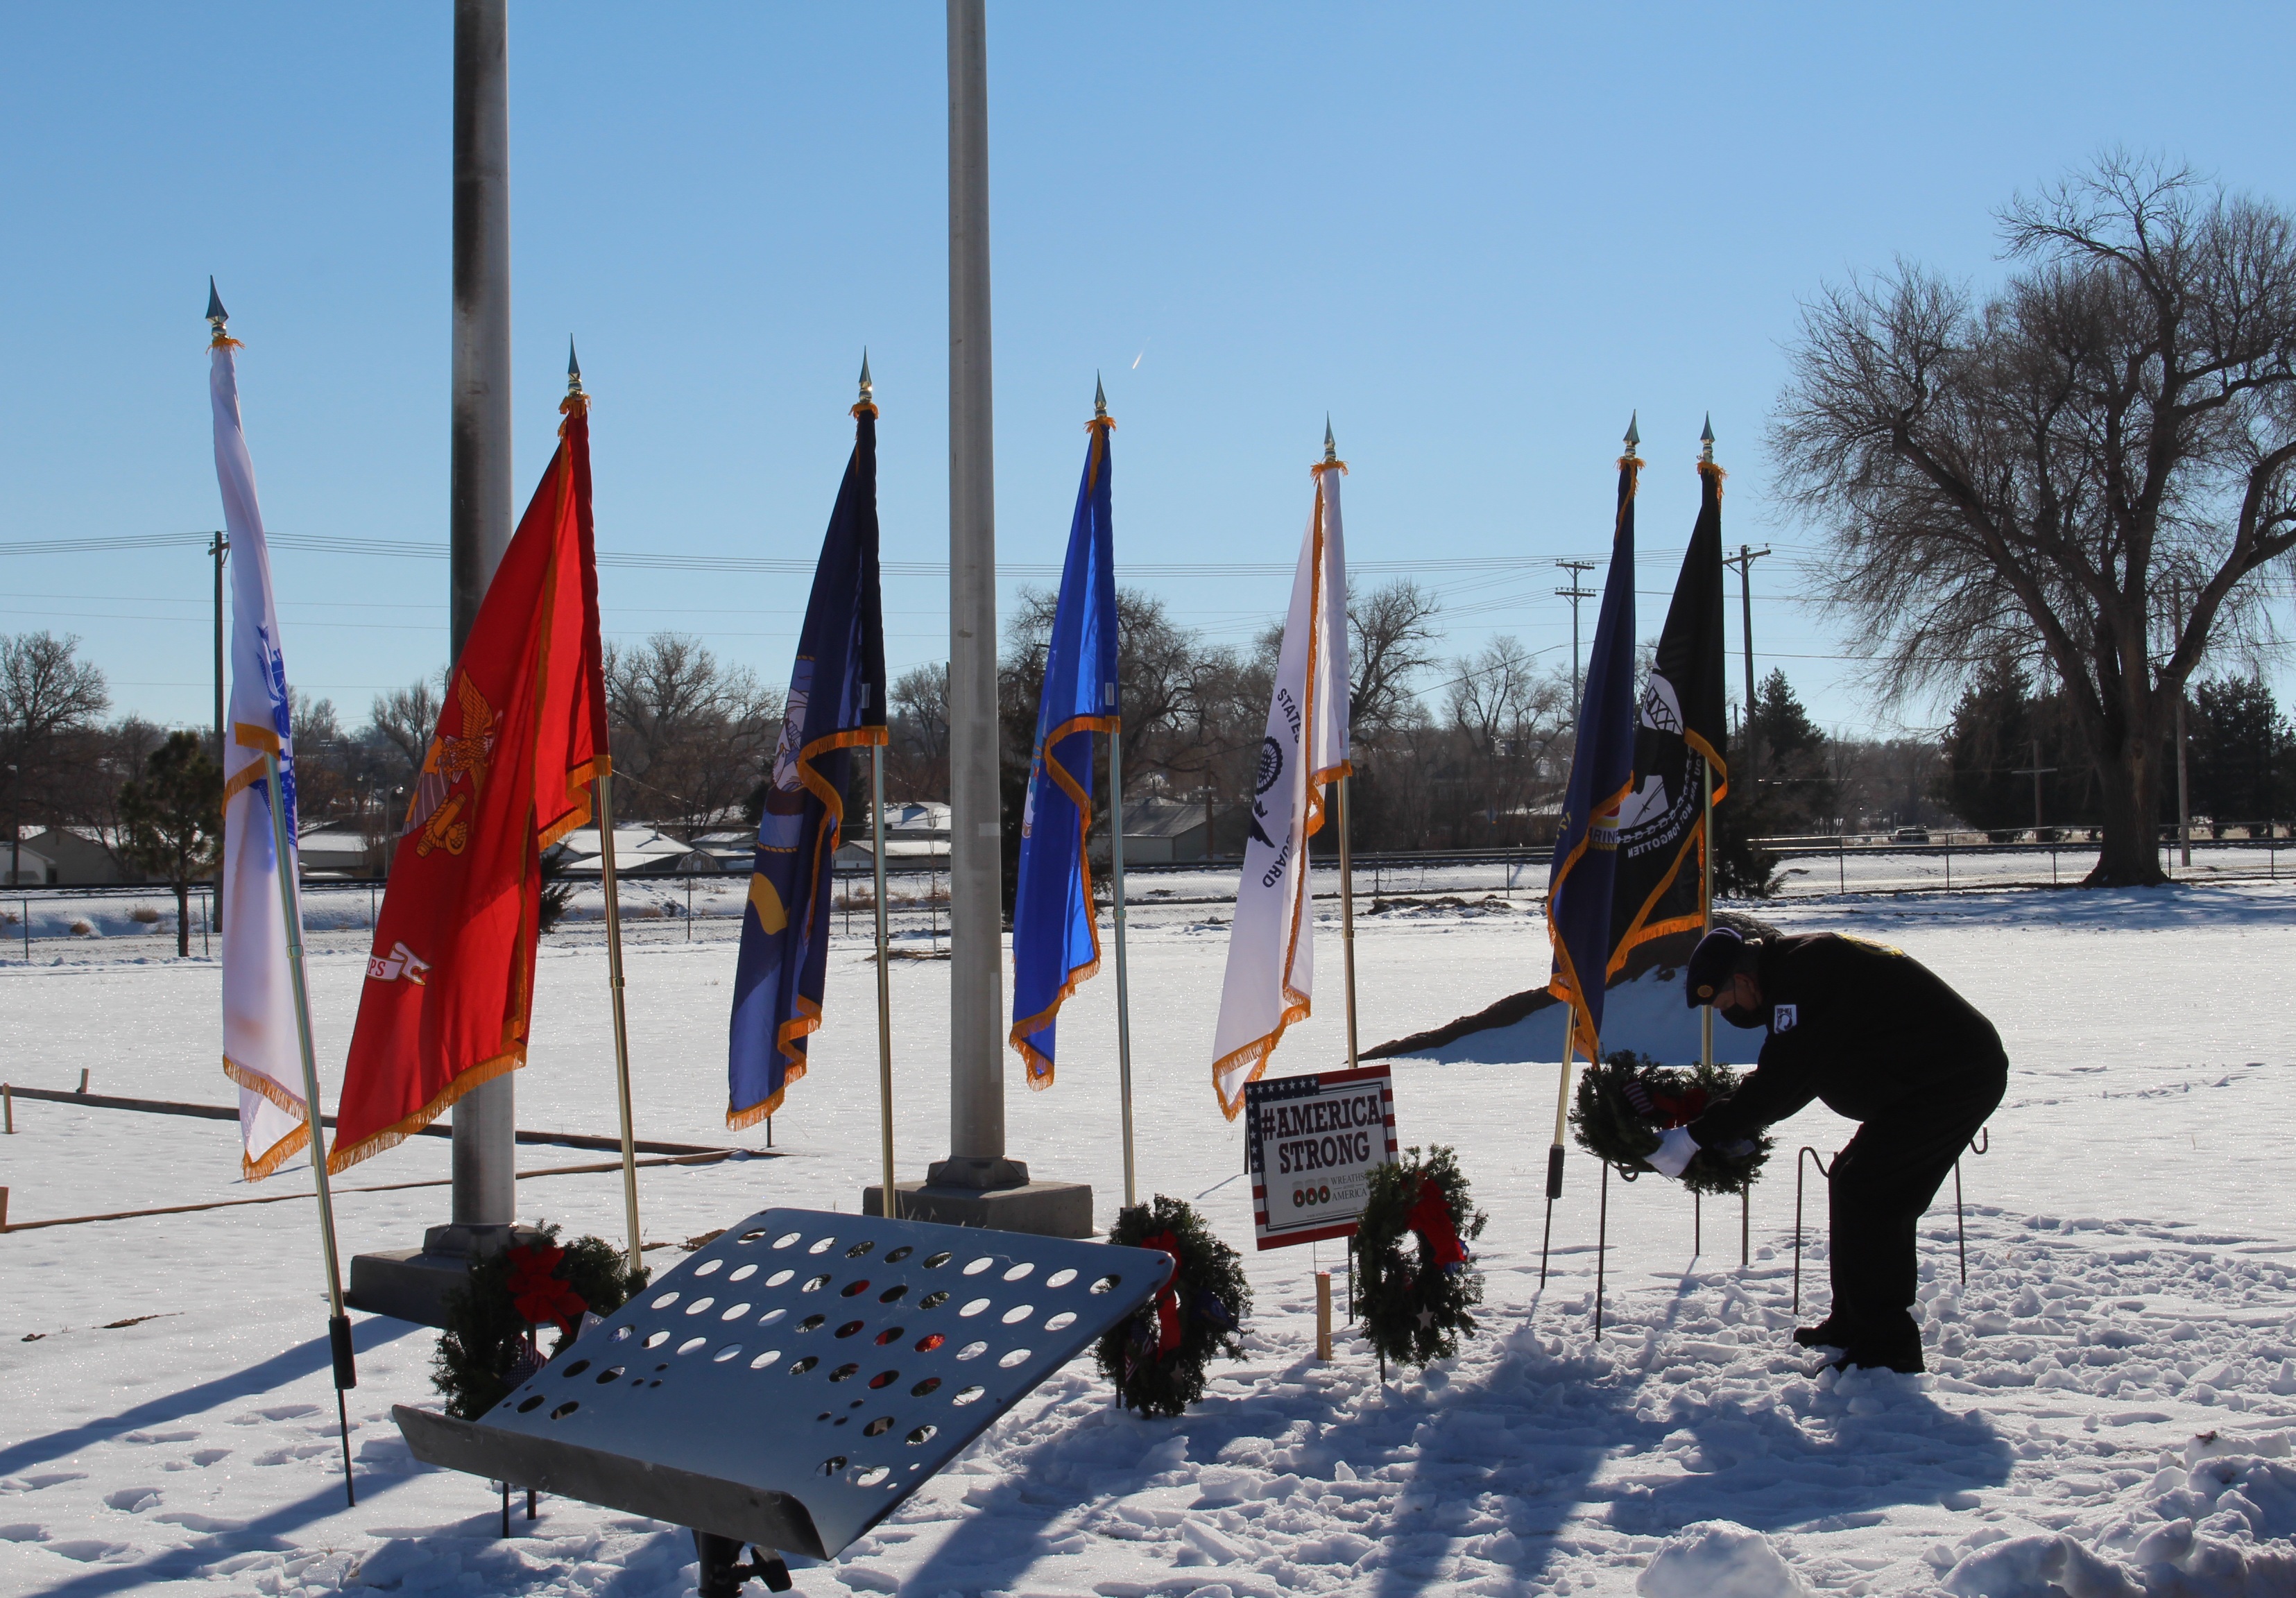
x,y
488,1347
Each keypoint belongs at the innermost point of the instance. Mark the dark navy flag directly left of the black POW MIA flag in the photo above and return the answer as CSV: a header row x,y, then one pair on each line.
x,y
1601,777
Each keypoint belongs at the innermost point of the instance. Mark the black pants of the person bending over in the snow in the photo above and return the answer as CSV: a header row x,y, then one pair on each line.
x,y
1882,1188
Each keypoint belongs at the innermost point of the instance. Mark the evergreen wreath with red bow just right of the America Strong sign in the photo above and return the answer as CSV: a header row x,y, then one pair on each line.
x,y
1418,1308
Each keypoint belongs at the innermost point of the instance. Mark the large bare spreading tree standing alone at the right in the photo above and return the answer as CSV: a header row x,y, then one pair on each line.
x,y
2093,465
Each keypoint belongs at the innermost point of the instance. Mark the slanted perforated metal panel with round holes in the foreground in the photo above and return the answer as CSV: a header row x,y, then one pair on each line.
x,y
835,1358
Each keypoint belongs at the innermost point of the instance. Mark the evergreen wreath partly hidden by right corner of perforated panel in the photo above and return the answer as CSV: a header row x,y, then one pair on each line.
x,y
1156,1358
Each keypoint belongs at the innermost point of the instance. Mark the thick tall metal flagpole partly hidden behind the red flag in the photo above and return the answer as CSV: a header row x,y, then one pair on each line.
x,y
479,502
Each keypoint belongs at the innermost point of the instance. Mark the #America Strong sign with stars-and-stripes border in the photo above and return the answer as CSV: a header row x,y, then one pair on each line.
x,y
1312,1145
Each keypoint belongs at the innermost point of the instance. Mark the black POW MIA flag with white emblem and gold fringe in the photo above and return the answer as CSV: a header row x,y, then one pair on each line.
x,y
1680,734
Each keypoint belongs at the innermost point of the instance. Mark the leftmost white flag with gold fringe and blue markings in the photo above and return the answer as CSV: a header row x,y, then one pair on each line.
x,y
261,1048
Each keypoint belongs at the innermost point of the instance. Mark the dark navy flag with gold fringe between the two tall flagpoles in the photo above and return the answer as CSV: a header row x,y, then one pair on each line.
x,y
837,704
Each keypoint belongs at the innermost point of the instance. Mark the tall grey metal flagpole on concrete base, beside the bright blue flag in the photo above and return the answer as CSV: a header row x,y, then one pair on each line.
x,y
977,1186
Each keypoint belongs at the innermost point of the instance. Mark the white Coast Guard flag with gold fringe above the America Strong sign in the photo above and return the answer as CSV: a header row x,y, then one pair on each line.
x,y
1271,942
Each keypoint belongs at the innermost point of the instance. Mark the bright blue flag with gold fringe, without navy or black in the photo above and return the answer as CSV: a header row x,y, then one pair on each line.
x,y
1055,931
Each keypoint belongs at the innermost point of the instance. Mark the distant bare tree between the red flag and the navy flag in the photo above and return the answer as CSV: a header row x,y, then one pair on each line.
x,y
688,731
